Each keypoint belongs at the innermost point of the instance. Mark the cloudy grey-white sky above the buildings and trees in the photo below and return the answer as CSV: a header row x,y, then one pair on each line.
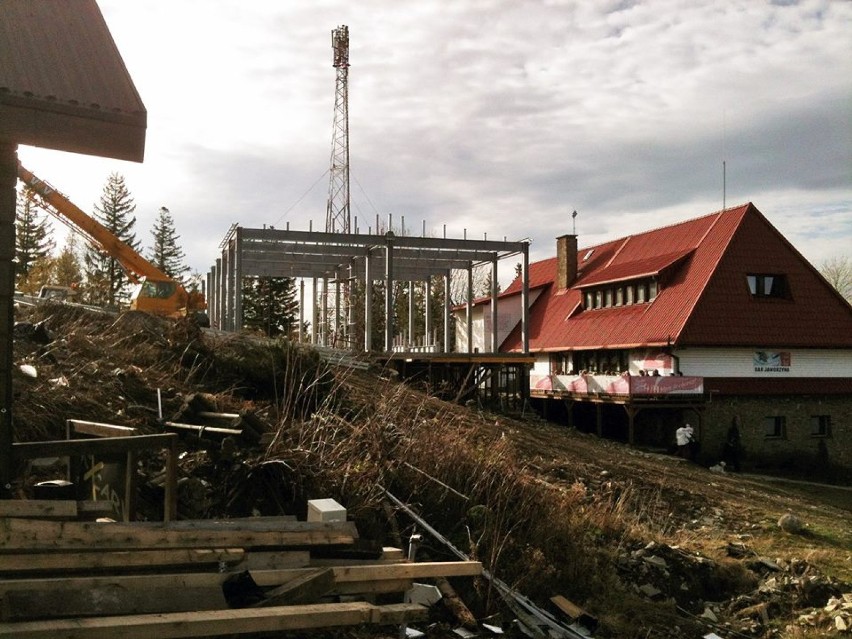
x,y
494,117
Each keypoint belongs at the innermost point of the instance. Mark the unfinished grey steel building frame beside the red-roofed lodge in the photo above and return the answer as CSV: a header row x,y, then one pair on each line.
x,y
339,259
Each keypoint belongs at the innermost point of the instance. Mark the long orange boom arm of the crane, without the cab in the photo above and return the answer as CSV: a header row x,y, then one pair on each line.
x,y
136,266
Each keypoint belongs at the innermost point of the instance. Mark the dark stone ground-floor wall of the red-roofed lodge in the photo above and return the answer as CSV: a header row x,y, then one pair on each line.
x,y
798,449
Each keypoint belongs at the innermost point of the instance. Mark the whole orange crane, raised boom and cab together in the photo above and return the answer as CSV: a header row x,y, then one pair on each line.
x,y
155,291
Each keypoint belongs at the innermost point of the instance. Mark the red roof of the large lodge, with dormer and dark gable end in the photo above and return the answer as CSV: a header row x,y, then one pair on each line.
x,y
703,298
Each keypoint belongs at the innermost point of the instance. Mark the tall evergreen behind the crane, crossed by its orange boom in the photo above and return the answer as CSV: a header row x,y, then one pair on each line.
x,y
106,282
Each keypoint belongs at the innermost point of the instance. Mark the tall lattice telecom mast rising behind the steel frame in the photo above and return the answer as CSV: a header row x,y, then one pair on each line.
x,y
338,216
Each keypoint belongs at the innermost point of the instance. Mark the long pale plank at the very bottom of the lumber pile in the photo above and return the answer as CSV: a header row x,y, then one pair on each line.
x,y
217,622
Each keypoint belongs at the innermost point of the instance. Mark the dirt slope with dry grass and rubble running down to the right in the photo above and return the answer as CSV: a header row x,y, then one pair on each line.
x,y
651,545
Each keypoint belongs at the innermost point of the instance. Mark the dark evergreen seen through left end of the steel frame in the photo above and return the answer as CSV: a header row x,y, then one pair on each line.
x,y
270,306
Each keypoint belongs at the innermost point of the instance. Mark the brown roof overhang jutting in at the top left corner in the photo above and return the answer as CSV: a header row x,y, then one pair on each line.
x,y
63,83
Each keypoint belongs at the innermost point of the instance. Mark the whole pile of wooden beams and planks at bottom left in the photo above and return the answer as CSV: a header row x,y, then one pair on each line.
x,y
69,578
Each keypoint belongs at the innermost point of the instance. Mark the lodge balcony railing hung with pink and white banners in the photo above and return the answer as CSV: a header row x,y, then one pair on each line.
x,y
615,385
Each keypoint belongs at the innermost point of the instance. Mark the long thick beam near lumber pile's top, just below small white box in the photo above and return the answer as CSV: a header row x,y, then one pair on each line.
x,y
35,535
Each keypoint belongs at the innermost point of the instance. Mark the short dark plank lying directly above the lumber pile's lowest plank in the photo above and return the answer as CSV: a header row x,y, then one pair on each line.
x,y
29,605
